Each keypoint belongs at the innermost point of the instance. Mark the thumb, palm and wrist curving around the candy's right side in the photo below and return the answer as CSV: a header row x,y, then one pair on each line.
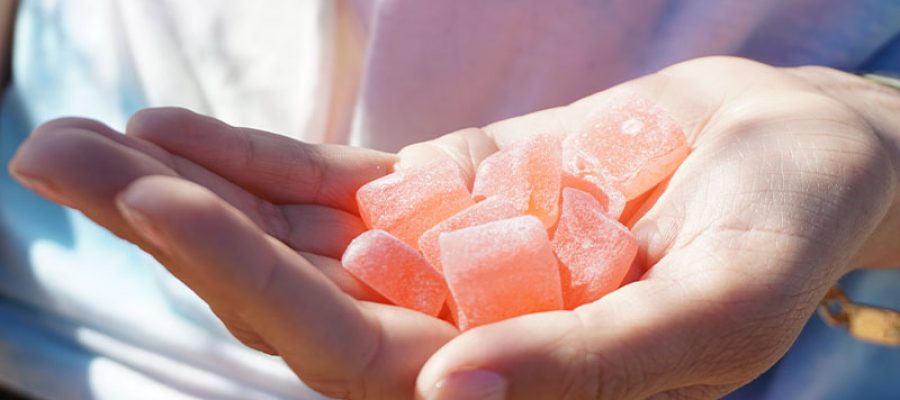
x,y
792,181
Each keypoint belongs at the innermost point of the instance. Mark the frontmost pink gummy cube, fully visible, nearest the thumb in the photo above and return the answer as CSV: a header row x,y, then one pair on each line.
x,y
500,270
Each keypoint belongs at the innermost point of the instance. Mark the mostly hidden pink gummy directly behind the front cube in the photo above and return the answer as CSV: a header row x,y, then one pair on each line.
x,y
493,209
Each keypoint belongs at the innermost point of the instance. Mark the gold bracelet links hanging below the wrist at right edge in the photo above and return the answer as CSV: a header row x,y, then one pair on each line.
x,y
864,322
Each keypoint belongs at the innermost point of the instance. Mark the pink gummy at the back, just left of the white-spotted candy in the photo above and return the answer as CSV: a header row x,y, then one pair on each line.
x,y
527,174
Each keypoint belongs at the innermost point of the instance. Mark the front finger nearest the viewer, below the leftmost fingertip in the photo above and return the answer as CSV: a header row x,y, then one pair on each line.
x,y
223,256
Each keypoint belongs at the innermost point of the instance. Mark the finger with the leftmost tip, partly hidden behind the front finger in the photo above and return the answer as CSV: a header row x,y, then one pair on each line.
x,y
84,164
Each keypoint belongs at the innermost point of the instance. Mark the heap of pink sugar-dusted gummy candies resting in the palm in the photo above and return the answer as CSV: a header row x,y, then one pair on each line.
x,y
539,230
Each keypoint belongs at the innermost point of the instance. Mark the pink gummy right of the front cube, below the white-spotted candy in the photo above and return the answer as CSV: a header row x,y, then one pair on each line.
x,y
596,251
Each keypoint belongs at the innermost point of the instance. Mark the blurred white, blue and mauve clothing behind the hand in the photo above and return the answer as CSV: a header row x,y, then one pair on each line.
x,y
84,315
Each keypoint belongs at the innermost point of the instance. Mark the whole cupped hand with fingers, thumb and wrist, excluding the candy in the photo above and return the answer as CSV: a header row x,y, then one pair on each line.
x,y
792,182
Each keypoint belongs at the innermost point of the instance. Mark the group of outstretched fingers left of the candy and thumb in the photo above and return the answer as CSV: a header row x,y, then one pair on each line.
x,y
255,224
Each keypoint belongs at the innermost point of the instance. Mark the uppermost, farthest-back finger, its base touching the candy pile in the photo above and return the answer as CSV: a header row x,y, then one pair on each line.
x,y
277,168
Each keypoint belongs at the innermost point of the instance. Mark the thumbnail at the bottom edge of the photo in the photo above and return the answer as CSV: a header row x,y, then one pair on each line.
x,y
477,384
